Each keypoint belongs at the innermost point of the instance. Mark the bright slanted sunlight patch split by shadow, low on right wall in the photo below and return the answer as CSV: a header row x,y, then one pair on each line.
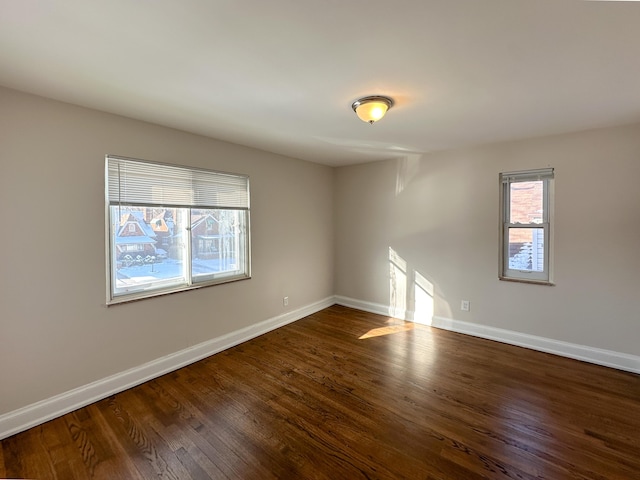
x,y
410,293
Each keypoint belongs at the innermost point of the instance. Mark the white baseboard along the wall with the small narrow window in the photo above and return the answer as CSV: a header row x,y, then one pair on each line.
x,y
598,356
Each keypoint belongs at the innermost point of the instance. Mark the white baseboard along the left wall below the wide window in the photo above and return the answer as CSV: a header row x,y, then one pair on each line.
x,y
50,408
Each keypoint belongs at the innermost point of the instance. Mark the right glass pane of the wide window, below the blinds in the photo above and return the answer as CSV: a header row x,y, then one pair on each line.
x,y
217,243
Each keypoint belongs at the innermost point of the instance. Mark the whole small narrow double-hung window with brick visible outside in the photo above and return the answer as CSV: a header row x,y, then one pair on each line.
x,y
526,201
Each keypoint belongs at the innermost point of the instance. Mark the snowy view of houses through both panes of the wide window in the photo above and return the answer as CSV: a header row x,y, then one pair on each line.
x,y
151,246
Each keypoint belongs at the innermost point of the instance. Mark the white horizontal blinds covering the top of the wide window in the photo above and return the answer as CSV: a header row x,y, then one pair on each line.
x,y
137,182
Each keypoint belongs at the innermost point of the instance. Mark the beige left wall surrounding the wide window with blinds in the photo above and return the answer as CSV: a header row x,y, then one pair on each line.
x,y
56,333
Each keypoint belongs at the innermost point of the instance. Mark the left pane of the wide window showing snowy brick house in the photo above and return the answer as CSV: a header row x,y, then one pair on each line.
x,y
148,248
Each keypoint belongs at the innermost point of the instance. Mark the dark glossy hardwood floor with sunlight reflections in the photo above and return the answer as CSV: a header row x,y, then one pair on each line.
x,y
344,394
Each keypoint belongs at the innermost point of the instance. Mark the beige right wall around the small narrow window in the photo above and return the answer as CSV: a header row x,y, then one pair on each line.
x,y
438,215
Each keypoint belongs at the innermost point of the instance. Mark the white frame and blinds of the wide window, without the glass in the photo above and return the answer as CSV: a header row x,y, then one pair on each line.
x,y
132,182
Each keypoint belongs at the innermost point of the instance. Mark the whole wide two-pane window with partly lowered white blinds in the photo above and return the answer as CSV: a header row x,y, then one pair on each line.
x,y
173,228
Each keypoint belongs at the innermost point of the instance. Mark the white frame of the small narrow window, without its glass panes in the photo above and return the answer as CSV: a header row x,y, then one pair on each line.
x,y
545,175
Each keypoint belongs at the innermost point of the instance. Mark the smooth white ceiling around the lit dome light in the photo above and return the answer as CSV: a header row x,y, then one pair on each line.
x,y
280,75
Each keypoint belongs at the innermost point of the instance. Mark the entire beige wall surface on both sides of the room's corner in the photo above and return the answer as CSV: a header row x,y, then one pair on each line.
x,y
316,231
